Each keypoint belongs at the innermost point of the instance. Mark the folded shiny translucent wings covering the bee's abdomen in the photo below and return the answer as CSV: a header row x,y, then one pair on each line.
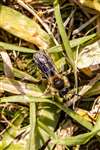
x,y
44,63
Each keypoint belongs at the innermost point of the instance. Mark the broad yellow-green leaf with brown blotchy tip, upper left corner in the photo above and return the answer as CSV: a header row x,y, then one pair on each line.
x,y
23,27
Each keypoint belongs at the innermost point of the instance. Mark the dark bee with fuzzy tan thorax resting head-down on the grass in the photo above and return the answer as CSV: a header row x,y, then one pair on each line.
x,y
45,64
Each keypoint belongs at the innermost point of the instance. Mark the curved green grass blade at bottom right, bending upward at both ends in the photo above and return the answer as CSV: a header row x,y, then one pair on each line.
x,y
73,140
